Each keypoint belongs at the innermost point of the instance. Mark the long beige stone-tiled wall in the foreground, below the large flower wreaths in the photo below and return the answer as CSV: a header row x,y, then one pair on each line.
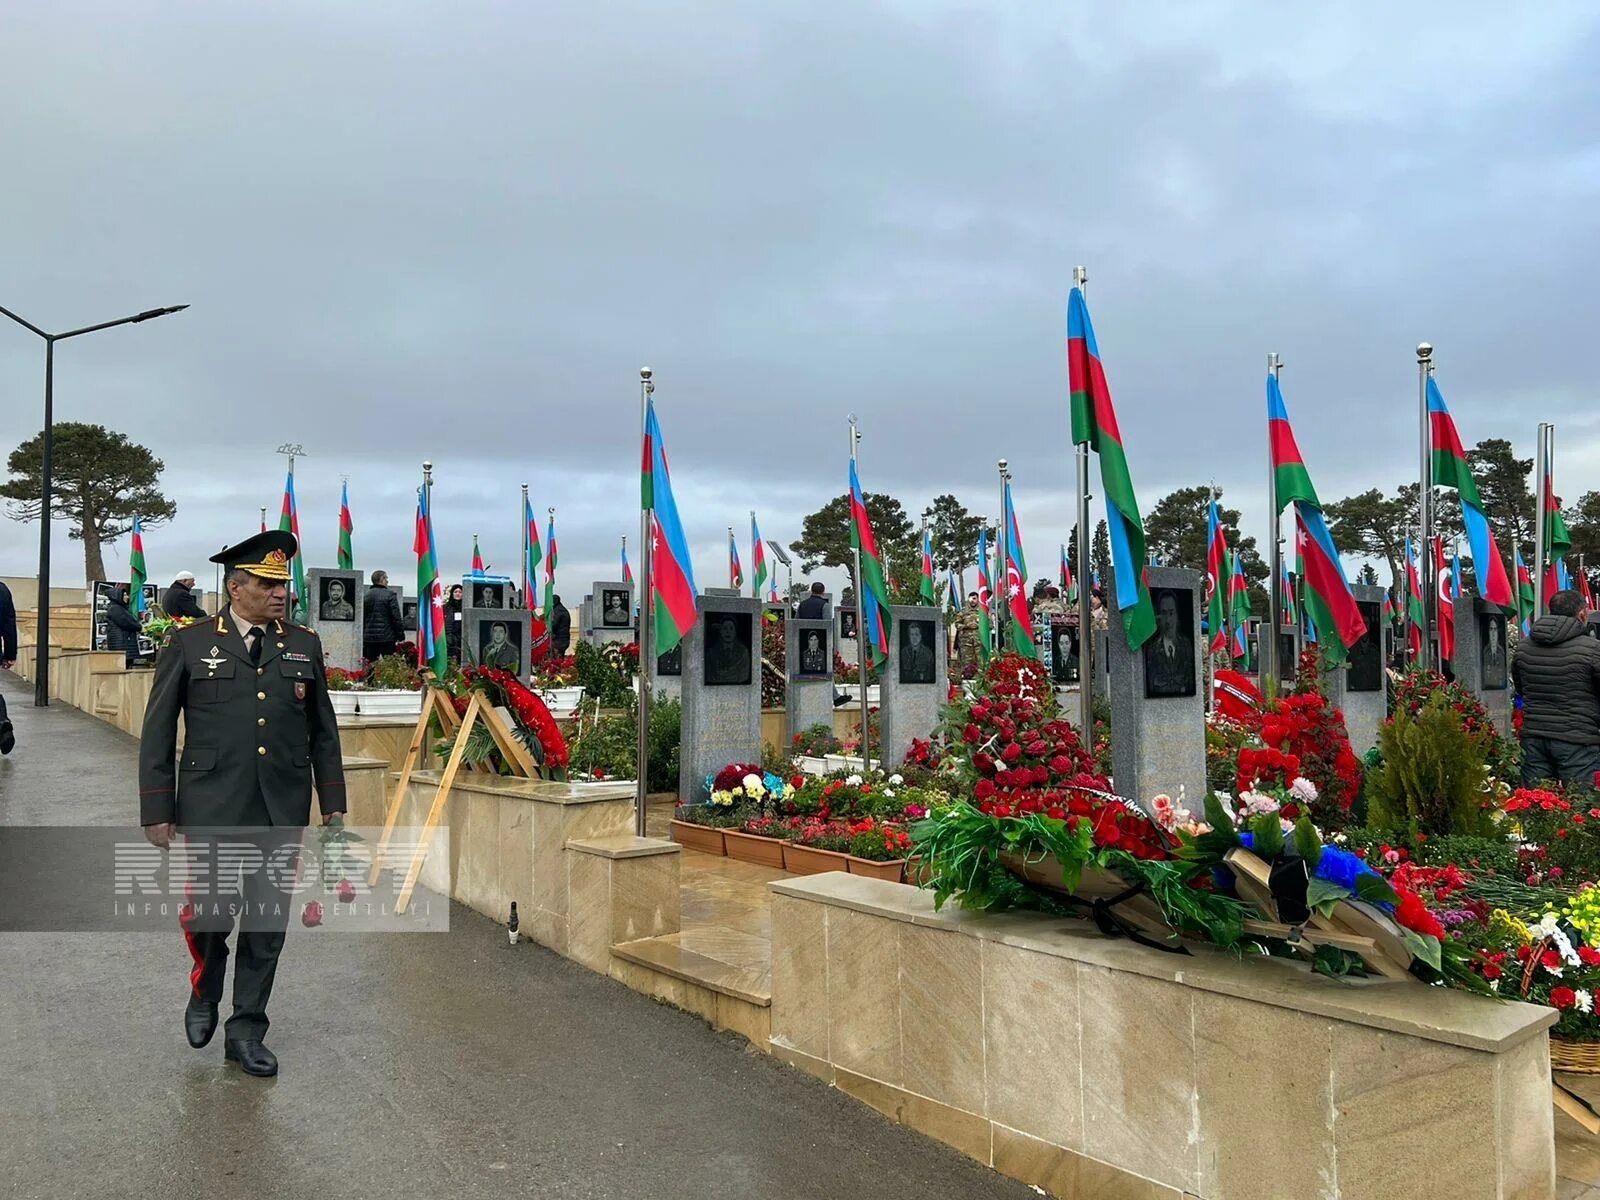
x,y
1098,1068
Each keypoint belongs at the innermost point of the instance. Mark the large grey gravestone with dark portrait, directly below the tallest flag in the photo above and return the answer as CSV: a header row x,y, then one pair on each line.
x,y
1158,705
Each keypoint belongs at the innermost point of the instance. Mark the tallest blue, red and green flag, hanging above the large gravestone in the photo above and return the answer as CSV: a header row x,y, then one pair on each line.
x,y
1095,425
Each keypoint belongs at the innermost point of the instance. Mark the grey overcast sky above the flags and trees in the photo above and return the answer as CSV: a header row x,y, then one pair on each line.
x,y
458,231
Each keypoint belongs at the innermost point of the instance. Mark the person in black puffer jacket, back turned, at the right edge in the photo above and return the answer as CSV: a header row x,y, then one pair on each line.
x,y
1558,674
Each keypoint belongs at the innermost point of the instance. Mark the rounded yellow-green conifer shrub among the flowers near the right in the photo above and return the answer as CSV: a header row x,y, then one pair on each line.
x,y
1433,775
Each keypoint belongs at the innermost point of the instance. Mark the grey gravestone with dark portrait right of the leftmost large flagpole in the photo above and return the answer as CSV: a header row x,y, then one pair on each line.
x,y
722,690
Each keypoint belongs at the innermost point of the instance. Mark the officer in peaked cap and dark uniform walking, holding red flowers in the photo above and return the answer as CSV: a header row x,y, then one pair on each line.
x,y
258,732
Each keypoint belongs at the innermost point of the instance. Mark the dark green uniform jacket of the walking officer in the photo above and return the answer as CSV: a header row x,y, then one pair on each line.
x,y
255,737
